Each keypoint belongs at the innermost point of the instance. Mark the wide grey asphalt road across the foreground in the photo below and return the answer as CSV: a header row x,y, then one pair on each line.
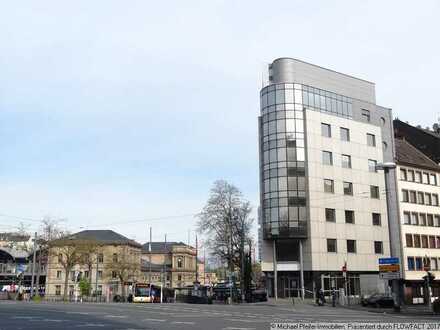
x,y
25,315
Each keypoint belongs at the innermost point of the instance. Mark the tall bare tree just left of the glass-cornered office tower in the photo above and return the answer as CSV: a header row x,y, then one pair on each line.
x,y
225,220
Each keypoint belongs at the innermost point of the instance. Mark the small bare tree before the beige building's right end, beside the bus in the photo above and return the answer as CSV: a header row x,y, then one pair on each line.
x,y
124,265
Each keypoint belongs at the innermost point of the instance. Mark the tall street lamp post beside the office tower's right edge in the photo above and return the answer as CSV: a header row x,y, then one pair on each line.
x,y
394,251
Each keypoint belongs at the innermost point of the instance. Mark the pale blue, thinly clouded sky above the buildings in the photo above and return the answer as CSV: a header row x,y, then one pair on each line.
x,y
117,111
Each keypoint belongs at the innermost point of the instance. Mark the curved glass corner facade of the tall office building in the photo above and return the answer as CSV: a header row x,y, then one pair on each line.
x,y
283,161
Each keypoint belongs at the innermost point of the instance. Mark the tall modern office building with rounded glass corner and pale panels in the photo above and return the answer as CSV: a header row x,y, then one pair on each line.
x,y
323,201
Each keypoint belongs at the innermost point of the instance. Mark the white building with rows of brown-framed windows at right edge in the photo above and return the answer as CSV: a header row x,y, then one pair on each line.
x,y
419,191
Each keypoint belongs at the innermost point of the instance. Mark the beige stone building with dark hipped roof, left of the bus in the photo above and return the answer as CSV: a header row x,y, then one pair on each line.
x,y
103,257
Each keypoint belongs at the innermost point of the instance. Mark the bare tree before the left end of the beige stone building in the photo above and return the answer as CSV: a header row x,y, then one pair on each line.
x,y
69,253
